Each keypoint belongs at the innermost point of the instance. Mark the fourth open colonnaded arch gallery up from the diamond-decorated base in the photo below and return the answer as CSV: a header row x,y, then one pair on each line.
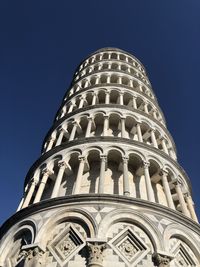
x,y
110,79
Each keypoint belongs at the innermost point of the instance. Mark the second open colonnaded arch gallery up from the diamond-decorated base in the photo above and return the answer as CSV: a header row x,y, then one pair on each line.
x,y
113,123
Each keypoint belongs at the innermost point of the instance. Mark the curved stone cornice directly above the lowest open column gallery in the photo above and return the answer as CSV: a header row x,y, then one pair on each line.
x,y
119,140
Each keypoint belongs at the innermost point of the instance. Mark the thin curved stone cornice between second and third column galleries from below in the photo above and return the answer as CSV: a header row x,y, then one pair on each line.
x,y
99,106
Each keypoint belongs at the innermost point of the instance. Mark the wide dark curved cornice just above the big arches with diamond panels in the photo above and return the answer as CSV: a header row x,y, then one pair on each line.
x,y
92,199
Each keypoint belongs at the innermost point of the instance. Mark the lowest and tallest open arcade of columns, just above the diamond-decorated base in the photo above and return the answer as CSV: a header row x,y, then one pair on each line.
x,y
109,170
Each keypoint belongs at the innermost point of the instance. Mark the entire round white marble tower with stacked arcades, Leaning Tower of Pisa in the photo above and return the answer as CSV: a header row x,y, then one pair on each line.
x,y
107,189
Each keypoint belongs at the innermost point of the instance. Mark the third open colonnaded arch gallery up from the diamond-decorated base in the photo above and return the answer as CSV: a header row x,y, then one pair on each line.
x,y
111,96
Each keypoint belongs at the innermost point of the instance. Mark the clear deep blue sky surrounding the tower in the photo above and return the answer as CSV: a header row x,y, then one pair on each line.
x,y
41,43
